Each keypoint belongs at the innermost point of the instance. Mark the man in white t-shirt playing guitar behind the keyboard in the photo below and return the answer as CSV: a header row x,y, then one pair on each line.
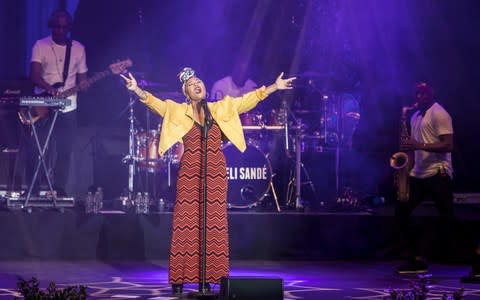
x,y
58,63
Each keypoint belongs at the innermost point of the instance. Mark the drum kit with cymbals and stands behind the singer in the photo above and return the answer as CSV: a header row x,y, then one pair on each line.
x,y
327,127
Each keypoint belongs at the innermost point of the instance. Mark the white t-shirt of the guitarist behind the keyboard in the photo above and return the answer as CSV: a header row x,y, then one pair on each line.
x,y
52,57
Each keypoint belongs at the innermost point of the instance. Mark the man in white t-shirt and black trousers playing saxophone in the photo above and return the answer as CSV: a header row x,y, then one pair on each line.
x,y
431,140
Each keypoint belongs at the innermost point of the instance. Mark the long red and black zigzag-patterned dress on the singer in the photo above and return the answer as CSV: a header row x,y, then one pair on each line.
x,y
185,249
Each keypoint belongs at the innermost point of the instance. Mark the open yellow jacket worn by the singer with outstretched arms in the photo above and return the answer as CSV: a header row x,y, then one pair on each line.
x,y
178,117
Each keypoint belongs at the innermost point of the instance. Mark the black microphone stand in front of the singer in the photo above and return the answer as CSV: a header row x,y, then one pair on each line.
x,y
203,292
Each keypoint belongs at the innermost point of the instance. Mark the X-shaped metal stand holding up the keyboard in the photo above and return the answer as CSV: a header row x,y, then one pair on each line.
x,y
41,159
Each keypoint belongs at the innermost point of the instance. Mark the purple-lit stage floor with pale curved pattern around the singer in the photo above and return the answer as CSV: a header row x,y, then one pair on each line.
x,y
302,280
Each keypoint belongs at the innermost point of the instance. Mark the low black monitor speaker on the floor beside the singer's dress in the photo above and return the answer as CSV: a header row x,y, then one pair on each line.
x,y
251,288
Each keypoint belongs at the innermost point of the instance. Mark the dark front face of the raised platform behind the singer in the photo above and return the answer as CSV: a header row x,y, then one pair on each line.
x,y
51,235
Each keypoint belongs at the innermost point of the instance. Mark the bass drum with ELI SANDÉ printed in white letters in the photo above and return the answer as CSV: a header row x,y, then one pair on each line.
x,y
249,176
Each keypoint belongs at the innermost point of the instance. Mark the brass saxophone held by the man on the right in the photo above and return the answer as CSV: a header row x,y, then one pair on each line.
x,y
402,161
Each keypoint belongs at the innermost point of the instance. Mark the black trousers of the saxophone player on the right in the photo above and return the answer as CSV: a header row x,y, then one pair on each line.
x,y
438,189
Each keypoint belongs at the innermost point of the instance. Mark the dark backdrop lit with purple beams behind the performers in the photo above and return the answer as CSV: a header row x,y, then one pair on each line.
x,y
374,50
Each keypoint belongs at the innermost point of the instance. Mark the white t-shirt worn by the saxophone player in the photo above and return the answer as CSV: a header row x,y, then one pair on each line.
x,y
427,129
